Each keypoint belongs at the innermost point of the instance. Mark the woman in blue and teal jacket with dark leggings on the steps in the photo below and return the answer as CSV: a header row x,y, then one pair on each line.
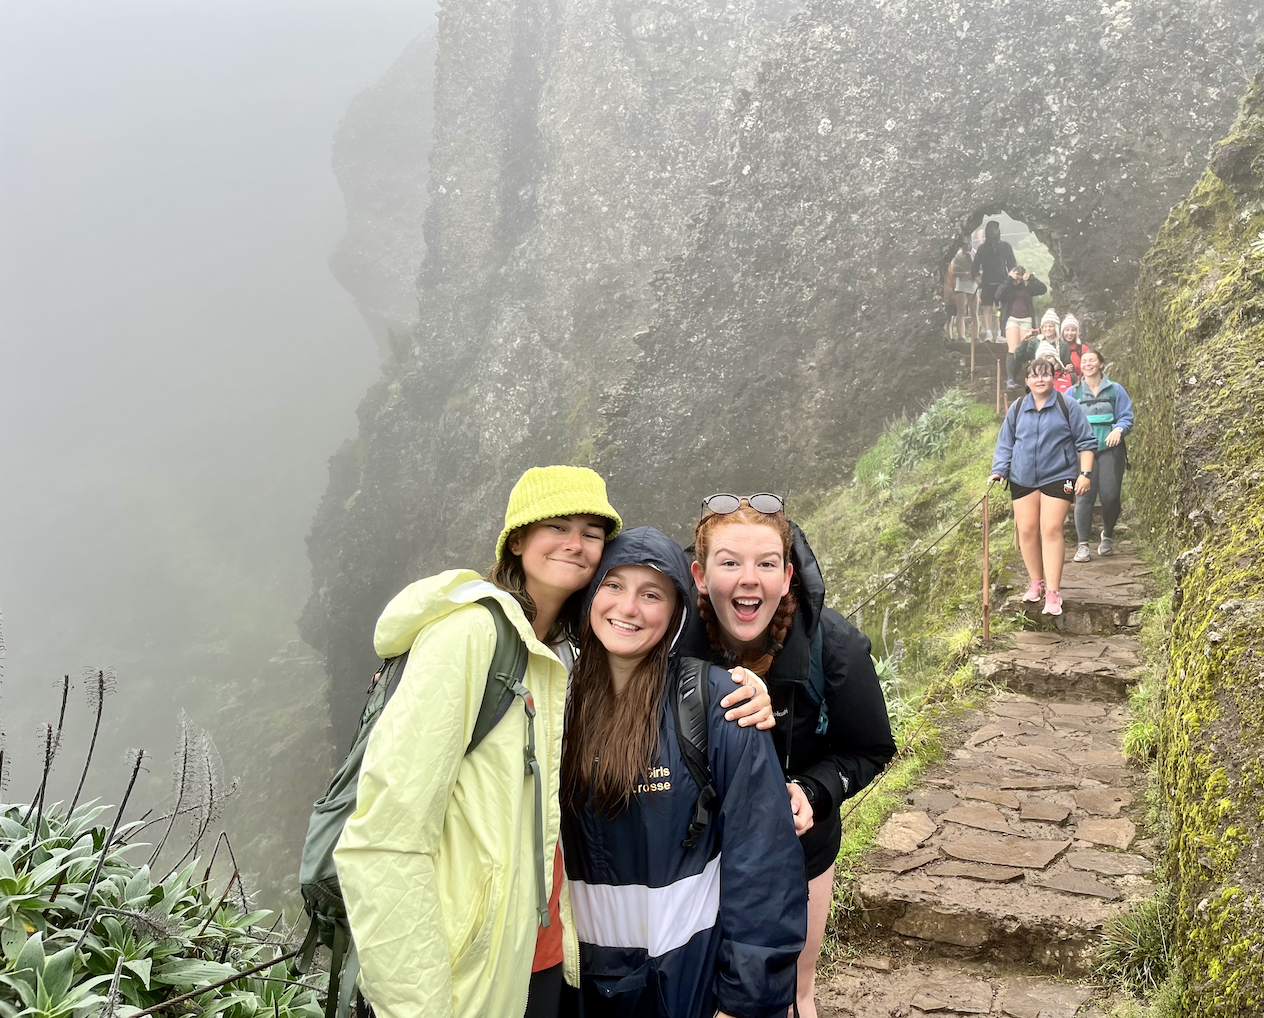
x,y
1110,414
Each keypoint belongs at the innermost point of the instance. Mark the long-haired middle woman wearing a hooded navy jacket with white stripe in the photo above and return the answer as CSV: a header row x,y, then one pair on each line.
x,y
665,930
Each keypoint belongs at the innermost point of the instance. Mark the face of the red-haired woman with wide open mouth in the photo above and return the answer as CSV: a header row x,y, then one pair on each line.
x,y
745,575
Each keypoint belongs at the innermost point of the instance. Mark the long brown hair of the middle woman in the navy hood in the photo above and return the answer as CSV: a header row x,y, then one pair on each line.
x,y
612,739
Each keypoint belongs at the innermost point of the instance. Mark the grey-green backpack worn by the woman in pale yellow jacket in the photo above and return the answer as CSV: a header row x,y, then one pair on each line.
x,y
318,878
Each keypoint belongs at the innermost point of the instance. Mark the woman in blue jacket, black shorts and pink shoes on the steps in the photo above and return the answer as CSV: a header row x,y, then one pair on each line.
x,y
1046,452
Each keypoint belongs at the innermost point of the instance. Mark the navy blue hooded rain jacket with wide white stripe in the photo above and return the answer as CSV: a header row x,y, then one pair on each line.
x,y
681,933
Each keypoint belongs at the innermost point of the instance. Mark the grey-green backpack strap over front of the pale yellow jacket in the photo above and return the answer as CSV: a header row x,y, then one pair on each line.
x,y
505,685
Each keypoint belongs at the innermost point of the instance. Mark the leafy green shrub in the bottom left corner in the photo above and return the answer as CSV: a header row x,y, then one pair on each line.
x,y
83,930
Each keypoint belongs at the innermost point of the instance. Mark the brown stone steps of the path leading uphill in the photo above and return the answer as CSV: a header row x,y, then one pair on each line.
x,y
990,890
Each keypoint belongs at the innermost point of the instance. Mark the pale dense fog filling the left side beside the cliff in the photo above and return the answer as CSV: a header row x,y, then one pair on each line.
x,y
176,366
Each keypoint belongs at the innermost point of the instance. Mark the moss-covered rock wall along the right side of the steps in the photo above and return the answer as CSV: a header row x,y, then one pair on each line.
x,y
1196,370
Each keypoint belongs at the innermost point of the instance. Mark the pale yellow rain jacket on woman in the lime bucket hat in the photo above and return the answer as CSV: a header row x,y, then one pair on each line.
x,y
438,862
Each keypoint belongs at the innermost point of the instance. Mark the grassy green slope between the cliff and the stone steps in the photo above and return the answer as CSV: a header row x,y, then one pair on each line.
x,y
923,627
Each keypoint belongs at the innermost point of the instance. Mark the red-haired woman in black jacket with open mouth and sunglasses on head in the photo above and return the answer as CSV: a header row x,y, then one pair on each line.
x,y
762,605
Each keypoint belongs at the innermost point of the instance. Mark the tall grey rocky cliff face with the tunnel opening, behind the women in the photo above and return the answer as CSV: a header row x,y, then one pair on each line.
x,y
697,247
